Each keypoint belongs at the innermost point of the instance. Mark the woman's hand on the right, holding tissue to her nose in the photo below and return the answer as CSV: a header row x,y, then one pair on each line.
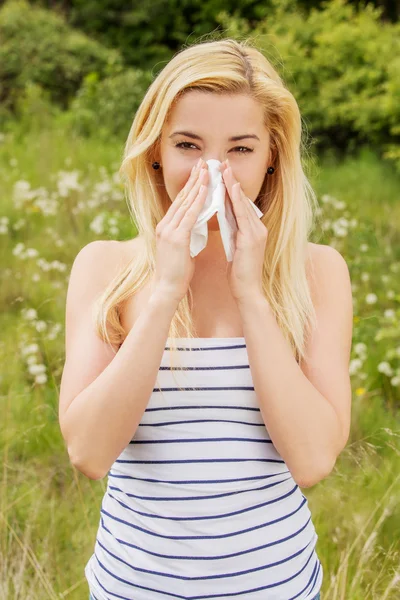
x,y
245,271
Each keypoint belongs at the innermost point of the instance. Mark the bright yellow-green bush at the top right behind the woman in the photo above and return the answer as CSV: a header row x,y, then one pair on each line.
x,y
343,67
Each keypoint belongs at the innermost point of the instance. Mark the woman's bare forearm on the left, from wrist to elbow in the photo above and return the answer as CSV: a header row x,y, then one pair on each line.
x,y
103,418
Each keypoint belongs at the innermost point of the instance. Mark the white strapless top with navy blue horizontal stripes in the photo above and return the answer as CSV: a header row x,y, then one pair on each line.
x,y
200,504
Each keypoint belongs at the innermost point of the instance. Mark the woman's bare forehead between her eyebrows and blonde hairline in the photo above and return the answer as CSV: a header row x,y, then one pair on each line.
x,y
210,112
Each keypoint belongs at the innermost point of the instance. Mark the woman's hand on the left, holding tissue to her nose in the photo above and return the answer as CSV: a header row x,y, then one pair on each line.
x,y
174,265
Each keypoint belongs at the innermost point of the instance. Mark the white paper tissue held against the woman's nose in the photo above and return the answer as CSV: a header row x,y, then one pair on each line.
x,y
215,203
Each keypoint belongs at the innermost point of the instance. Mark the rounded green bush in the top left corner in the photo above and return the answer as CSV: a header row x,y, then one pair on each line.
x,y
38,47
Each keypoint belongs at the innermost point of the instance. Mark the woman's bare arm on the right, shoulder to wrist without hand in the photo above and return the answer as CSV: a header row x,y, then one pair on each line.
x,y
306,409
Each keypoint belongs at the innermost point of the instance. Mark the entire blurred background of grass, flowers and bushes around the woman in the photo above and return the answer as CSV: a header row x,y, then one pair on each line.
x,y
72,75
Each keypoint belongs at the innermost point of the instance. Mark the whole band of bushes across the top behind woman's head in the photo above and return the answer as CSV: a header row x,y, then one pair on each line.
x,y
341,63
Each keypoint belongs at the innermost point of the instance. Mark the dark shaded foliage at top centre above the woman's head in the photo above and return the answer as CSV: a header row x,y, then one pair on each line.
x,y
148,33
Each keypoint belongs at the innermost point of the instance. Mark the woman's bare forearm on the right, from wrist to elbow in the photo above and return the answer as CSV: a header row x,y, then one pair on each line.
x,y
302,424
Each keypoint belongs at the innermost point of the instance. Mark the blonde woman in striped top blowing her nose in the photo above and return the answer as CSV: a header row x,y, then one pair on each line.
x,y
205,460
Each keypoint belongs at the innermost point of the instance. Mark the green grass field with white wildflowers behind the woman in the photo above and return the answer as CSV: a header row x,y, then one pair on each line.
x,y
59,193
